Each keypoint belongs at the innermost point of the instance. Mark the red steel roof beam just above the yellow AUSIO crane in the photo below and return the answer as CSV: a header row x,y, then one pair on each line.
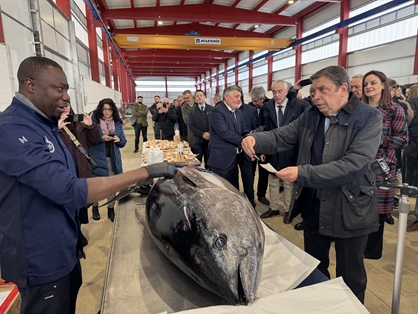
x,y
180,30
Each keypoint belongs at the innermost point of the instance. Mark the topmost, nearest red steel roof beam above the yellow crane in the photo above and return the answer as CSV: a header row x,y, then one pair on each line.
x,y
198,12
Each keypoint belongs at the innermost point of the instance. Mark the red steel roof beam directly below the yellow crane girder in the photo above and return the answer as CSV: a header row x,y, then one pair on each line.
x,y
178,53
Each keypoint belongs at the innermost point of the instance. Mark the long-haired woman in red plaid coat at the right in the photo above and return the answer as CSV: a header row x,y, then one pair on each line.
x,y
376,93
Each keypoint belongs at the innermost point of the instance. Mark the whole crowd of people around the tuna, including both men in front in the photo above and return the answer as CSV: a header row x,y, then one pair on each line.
x,y
321,148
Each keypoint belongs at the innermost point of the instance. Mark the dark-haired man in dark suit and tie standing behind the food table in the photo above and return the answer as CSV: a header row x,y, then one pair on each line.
x,y
199,126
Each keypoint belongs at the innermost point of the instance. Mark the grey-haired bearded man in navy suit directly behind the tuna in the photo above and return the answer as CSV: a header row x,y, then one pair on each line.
x,y
226,128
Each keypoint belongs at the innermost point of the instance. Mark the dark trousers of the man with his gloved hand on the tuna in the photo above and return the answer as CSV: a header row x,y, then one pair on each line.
x,y
59,296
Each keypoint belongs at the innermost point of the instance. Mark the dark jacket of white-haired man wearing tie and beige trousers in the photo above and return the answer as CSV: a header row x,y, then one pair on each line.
x,y
268,119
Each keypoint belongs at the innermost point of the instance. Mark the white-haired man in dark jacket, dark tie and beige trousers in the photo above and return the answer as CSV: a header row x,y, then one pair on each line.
x,y
278,112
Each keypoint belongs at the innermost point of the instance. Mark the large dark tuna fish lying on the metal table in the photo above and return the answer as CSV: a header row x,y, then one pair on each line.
x,y
210,231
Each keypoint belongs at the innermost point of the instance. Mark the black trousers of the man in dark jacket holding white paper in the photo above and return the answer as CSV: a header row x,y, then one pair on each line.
x,y
349,252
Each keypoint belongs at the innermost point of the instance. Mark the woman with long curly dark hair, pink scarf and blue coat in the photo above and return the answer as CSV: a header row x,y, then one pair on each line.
x,y
107,152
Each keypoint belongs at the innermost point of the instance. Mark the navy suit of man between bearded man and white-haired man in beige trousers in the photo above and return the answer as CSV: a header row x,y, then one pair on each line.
x,y
250,122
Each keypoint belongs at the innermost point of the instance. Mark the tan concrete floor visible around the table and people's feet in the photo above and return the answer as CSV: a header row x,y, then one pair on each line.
x,y
380,272
